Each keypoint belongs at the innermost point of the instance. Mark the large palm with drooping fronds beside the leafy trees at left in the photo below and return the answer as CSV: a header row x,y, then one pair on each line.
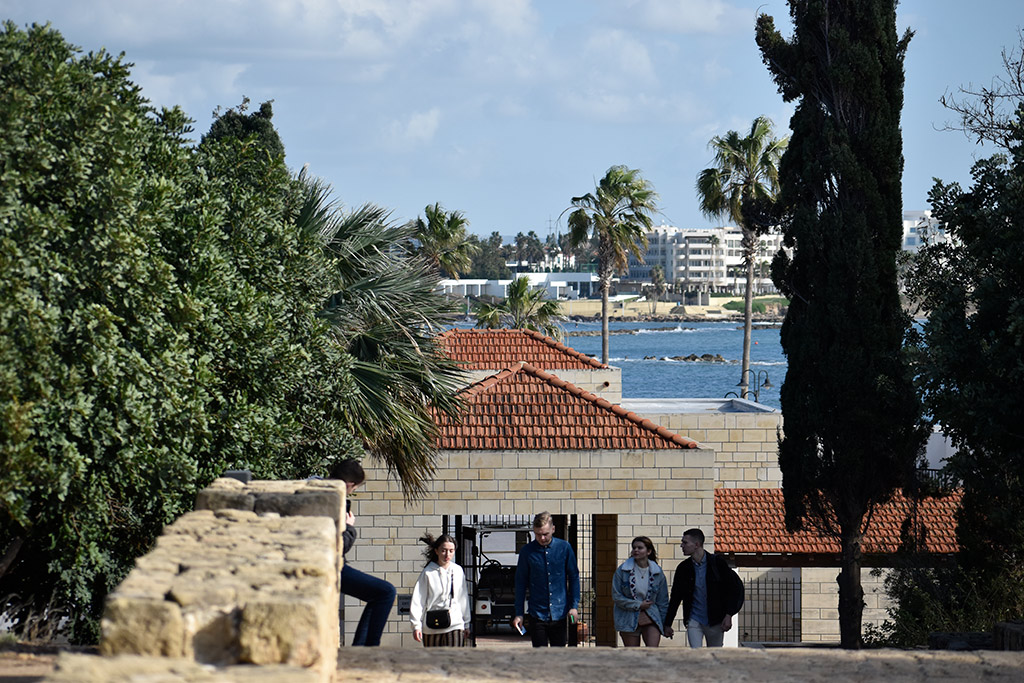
x,y
387,316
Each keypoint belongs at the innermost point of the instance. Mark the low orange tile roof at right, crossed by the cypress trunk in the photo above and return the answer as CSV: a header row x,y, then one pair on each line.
x,y
753,521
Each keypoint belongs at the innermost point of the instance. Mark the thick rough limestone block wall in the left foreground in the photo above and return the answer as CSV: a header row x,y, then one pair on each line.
x,y
251,579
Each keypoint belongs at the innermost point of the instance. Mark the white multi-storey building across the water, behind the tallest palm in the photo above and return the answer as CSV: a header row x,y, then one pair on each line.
x,y
708,260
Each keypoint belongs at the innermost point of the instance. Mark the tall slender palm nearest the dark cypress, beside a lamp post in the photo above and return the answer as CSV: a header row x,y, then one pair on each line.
x,y
746,170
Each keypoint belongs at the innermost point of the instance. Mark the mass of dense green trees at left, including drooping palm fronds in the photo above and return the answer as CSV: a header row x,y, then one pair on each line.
x,y
163,310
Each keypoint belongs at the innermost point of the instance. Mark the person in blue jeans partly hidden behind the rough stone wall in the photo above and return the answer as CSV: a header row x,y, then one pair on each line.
x,y
377,593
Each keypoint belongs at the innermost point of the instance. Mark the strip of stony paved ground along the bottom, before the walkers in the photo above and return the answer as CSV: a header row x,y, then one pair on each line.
x,y
501,663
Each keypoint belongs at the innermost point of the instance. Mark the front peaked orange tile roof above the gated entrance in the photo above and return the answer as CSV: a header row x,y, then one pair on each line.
x,y
526,409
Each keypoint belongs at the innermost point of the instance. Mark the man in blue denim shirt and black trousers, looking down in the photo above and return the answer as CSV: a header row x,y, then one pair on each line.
x,y
547,567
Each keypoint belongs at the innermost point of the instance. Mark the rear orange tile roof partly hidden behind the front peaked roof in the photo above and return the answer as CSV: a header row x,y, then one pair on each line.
x,y
494,350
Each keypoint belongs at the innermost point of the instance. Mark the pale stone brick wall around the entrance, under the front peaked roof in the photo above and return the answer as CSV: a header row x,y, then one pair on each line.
x,y
652,493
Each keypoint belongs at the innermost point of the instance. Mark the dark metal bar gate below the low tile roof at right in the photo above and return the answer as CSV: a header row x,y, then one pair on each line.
x,y
772,612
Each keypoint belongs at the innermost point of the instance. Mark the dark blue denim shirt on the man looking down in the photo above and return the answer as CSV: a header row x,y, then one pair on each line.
x,y
552,577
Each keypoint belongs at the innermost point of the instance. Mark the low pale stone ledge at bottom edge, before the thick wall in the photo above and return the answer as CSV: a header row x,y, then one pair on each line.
x,y
136,669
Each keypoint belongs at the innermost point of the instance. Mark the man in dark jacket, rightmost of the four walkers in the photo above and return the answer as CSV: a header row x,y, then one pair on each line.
x,y
710,590
